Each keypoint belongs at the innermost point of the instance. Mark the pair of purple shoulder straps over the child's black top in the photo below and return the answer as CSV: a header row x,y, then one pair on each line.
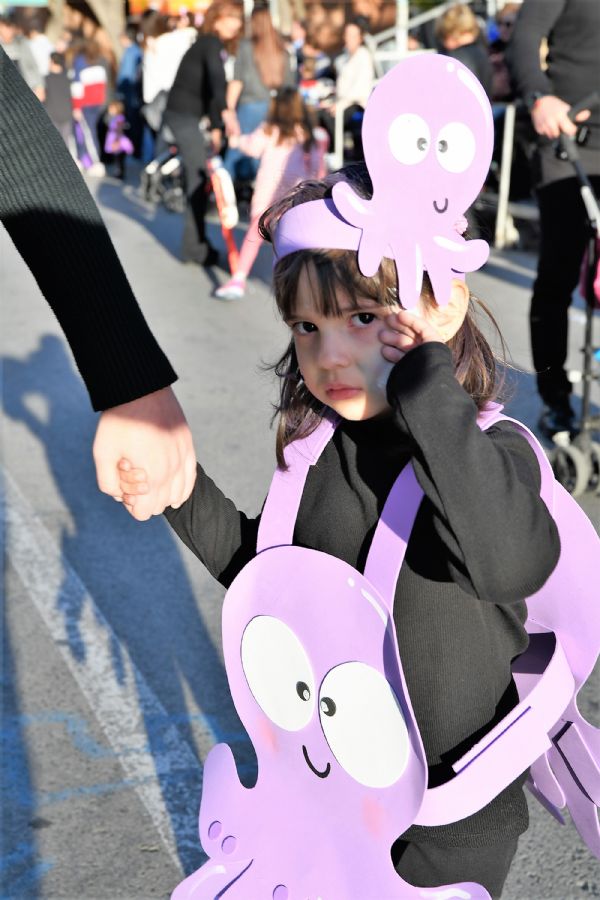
x,y
388,546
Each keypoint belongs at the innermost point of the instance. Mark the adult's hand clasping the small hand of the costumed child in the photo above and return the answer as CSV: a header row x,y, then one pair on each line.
x,y
152,432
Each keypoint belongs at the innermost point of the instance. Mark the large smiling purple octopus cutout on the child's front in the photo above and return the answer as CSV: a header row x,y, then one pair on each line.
x,y
313,666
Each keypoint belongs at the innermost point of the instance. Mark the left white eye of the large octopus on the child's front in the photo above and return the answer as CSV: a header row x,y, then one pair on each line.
x,y
278,672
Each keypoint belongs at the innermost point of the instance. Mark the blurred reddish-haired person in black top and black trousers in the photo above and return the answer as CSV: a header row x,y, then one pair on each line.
x,y
198,92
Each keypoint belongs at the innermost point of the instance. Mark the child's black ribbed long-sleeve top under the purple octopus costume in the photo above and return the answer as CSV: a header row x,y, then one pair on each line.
x,y
482,541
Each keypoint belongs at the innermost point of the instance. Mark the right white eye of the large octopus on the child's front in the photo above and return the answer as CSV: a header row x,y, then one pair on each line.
x,y
363,724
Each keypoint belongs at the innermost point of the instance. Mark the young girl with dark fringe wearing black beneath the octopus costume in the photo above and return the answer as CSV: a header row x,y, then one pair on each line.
x,y
459,609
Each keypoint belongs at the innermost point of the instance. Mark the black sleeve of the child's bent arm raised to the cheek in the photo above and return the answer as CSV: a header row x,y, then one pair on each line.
x,y
484,486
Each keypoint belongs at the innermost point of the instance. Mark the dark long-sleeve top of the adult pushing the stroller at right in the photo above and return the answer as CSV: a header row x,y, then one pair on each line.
x,y
572,28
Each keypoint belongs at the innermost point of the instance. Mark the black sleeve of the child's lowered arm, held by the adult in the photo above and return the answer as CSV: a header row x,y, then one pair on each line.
x,y
210,525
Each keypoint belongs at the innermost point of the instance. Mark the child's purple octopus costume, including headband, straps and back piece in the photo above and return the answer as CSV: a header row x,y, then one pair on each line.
x,y
341,766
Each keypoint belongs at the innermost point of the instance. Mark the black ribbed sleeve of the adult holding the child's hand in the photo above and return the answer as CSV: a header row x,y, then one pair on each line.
x,y
55,224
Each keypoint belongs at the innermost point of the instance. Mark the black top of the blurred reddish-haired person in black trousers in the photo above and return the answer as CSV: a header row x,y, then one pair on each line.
x,y
199,86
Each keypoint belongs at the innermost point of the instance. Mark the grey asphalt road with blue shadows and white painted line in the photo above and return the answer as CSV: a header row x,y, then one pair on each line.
x,y
113,682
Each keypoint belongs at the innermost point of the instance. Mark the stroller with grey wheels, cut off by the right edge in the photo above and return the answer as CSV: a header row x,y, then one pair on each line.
x,y
576,461
